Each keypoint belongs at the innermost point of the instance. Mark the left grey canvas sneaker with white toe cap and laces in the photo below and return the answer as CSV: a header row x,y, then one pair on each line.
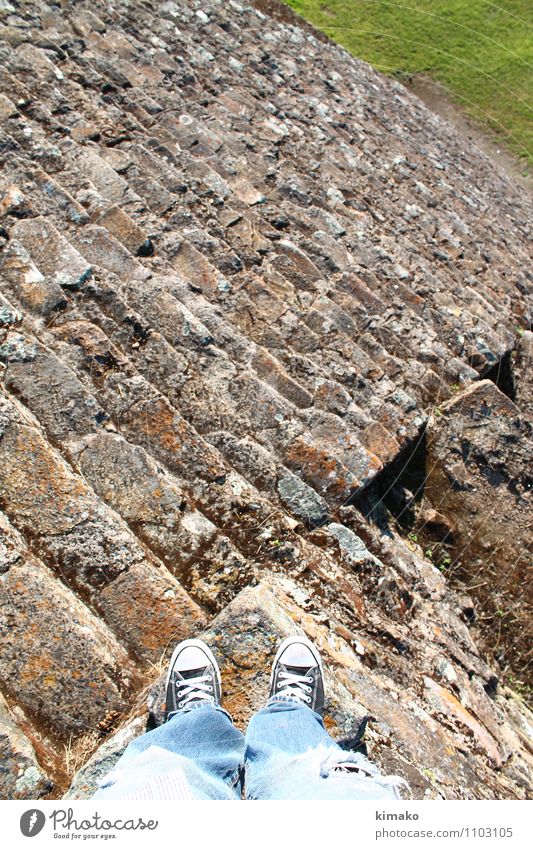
x,y
193,677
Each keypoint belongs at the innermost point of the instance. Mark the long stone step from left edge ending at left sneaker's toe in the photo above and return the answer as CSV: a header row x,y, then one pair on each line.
x,y
89,545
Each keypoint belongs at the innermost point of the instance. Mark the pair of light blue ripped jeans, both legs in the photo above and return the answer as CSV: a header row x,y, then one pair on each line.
x,y
286,754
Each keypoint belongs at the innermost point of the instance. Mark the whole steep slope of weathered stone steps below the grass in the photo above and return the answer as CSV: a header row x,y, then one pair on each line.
x,y
239,271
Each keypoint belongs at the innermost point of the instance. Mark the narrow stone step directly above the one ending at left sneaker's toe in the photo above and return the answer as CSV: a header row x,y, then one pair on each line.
x,y
116,468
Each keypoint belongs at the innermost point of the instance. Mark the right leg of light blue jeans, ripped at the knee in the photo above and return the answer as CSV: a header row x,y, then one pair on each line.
x,y
290,755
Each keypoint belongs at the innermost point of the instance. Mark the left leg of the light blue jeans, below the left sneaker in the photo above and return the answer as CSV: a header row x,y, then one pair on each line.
x,y
199,748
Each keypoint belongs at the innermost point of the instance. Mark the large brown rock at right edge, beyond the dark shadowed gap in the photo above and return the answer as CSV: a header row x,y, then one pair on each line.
x,y
479,474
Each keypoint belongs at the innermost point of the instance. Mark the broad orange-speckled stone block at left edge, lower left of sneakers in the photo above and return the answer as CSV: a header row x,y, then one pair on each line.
x,y
68,671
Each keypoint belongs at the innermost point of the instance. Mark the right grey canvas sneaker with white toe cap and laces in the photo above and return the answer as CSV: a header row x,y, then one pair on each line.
x,y
297,673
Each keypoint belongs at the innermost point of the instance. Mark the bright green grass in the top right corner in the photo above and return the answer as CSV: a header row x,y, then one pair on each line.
x,y
479,52
